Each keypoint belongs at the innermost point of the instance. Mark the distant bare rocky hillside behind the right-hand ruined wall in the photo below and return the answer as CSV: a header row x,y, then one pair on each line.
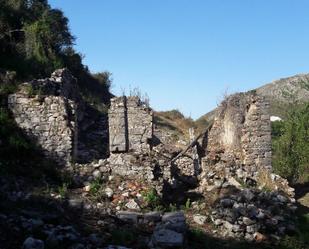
x,y
281,94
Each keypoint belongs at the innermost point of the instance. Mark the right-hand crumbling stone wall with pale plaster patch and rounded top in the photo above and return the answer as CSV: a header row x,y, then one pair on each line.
x,y
239,142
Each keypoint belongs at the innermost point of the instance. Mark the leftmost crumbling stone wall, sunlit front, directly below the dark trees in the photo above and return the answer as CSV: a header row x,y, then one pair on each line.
x,y
46,110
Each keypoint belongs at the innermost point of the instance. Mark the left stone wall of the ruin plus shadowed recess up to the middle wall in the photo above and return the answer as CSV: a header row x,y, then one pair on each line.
x,y
52,113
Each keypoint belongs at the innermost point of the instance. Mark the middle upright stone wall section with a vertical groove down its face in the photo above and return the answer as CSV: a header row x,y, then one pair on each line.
x,y
130,125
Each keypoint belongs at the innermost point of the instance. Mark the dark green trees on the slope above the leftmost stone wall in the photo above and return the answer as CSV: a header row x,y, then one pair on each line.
x,y
35,40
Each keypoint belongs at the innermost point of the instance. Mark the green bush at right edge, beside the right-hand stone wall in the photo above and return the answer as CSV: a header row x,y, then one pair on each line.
x,y
290,145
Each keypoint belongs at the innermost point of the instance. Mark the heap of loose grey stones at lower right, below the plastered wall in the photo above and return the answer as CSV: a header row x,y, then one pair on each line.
x,y
255,215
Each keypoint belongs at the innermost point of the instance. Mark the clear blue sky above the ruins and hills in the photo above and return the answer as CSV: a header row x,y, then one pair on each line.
x,y
185,53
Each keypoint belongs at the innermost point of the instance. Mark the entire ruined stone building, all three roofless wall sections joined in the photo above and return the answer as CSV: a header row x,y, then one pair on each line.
x,y
237,145
